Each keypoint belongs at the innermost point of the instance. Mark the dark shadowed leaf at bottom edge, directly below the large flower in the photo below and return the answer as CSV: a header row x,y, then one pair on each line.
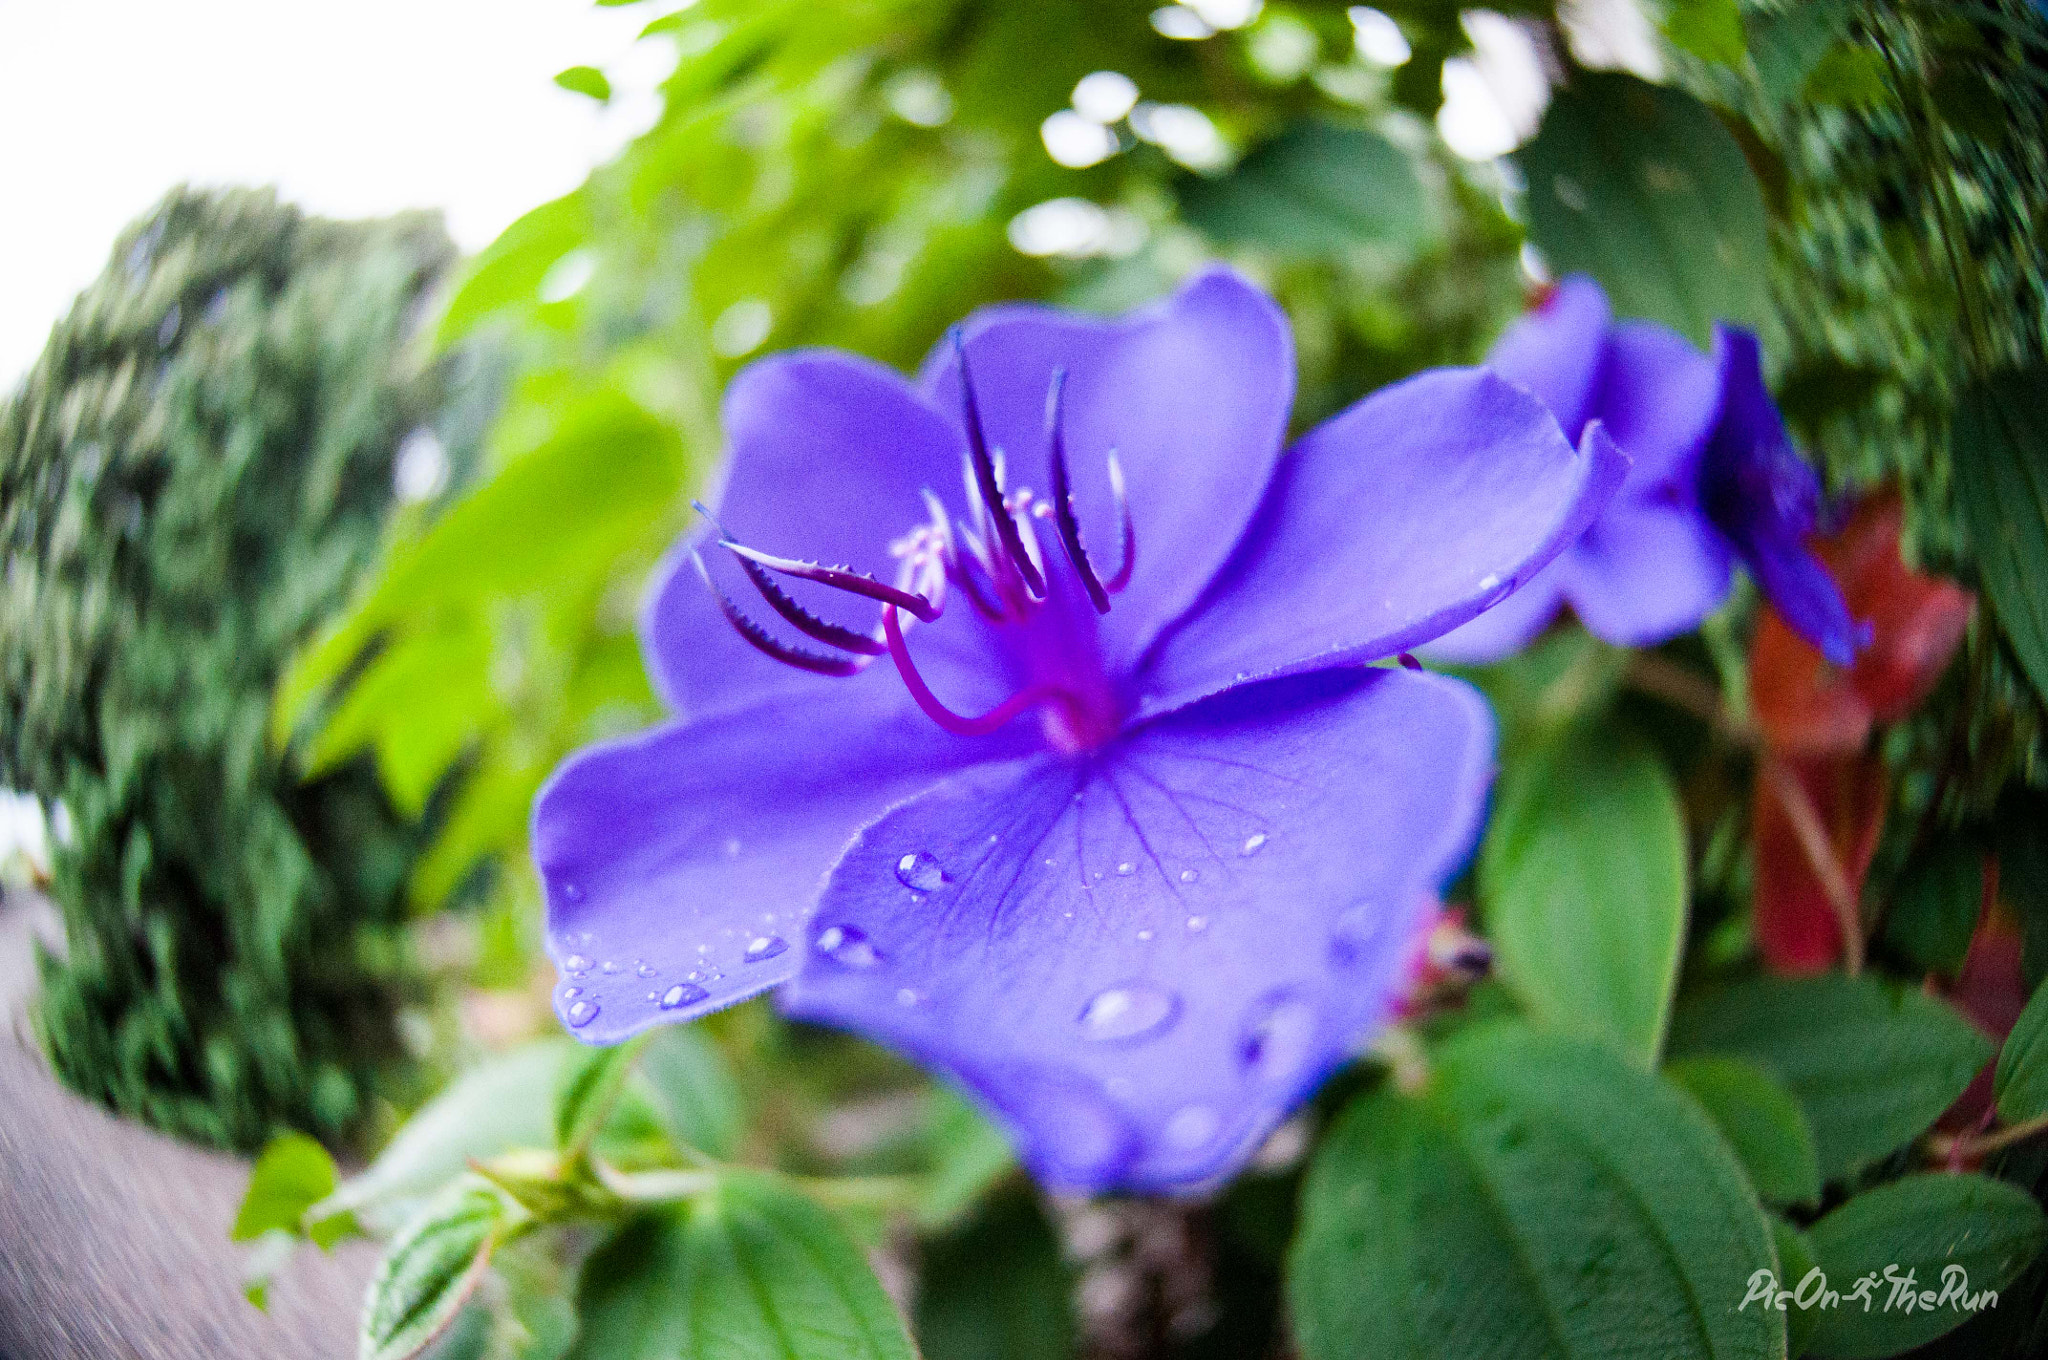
x,y
996,1289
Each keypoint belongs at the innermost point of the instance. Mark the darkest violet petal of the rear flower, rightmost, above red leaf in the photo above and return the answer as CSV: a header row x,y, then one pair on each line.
x,y
1766,501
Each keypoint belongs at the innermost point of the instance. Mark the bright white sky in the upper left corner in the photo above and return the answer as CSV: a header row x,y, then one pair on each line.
x,y
351,110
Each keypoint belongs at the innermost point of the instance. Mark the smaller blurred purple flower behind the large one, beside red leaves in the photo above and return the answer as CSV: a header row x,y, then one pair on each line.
x,y
1713,478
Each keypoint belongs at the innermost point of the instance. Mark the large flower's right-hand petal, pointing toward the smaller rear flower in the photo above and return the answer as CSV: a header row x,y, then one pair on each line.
x,y
1390,525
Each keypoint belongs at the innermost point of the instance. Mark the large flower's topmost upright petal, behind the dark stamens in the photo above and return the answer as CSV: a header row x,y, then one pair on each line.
x,y
1191,394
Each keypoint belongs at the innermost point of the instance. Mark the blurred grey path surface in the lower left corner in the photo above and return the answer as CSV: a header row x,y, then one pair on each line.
x,y
114,1240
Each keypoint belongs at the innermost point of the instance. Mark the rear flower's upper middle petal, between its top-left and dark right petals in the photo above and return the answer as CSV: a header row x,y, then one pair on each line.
x,y
1658,398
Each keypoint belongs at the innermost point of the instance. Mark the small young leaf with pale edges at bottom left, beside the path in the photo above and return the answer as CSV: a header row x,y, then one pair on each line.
x,y
429,1273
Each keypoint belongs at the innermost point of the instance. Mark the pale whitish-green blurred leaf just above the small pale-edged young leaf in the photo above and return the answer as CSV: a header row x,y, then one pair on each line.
x,y
495,1107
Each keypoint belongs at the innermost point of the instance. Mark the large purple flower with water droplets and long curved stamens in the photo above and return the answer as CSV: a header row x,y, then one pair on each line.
x,y
1070,783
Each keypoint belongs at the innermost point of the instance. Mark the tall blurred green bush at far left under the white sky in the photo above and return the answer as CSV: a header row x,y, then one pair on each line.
x,y
191,482
